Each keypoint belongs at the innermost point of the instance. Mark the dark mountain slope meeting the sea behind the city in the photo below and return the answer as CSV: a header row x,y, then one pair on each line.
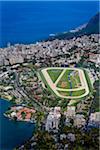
x,y
92,27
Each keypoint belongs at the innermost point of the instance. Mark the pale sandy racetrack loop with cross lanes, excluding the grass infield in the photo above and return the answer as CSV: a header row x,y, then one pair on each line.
x,y
54,87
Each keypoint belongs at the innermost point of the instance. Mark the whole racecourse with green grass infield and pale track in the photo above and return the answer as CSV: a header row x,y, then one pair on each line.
x,y
67,83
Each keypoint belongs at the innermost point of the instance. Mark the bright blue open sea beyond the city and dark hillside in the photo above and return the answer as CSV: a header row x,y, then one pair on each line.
x,y
27,22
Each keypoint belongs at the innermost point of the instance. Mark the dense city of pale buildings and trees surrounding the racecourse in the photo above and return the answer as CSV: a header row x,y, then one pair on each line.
x,y
61,125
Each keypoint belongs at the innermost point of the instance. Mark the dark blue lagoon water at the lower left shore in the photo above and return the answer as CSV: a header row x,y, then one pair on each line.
x,y
12,133
